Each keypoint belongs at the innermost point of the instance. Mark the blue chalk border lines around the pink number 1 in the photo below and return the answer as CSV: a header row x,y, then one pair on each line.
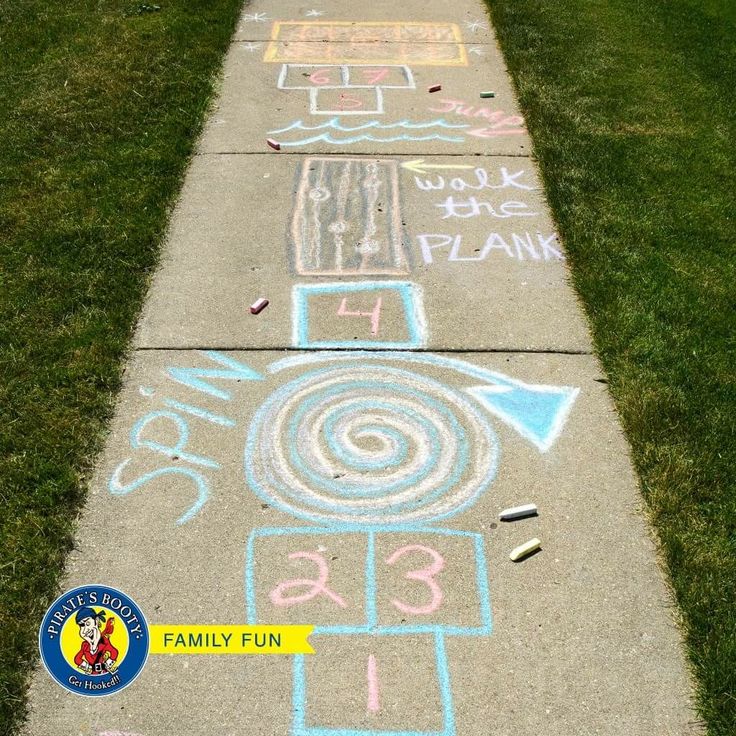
x,y
299,700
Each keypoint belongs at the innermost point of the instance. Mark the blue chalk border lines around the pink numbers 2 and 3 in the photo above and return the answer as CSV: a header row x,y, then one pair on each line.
x,y
371,625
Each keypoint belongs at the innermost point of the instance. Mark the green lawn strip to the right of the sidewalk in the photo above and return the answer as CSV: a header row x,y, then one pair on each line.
x,y
632,109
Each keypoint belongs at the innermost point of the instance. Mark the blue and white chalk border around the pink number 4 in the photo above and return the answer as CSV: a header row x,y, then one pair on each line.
x,y
411,297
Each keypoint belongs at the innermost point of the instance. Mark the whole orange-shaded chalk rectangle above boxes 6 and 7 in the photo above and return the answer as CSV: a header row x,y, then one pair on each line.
x,y
354,42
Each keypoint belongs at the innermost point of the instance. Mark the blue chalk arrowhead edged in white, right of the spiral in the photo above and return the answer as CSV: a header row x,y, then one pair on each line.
x,y
537,413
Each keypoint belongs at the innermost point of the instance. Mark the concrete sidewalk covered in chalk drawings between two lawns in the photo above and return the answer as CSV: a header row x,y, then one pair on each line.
x,y
422,364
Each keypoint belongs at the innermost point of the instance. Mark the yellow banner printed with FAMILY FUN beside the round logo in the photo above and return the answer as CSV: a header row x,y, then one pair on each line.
x,y
227,639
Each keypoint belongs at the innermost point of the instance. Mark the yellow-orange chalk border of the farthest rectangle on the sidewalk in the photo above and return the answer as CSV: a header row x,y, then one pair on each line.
x,y
271,53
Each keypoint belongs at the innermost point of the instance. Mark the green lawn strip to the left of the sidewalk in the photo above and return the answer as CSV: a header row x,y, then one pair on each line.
x,y
100,103
